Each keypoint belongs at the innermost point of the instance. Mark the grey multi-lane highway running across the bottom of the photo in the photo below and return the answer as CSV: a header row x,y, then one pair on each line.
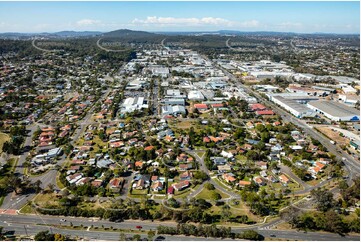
x,y
31,224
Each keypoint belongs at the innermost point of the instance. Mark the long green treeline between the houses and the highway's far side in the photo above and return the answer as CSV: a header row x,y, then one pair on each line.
x,y
146,210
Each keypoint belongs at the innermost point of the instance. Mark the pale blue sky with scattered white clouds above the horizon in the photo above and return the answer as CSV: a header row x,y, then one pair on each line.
x,y
301,17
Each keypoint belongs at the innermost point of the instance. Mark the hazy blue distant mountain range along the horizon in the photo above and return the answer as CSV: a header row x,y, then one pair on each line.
x,y
126,33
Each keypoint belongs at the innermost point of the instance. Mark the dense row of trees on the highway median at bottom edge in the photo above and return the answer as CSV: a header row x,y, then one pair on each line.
x,y
208,231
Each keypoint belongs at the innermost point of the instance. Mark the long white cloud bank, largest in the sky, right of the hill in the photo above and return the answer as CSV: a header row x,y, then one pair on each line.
x,y
206,21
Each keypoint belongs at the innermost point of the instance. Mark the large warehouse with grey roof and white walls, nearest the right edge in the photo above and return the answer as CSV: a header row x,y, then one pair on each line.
x,y
335,111
